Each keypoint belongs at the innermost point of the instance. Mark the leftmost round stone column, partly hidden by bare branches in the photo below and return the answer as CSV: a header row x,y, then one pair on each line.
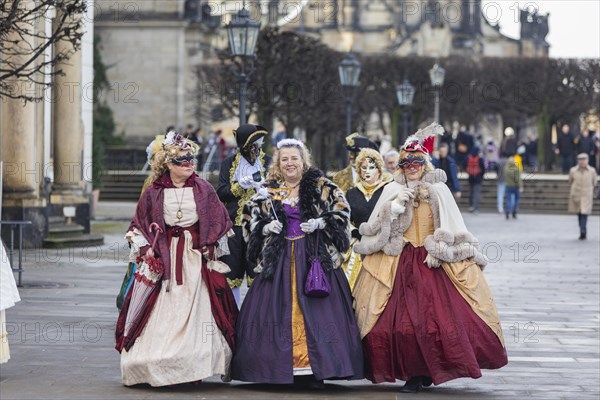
x,y
21,175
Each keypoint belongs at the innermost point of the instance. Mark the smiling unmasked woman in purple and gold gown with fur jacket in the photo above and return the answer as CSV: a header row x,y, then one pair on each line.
x,y
283,335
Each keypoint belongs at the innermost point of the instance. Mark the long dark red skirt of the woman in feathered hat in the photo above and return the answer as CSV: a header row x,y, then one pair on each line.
x,y
428,329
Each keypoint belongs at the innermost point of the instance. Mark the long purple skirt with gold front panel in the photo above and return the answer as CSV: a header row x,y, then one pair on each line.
x,y
281,332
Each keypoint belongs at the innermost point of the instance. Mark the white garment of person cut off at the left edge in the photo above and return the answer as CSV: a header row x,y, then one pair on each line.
x,y
9,295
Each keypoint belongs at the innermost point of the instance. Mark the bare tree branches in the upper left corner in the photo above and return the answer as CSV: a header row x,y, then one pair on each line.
x,y
24,43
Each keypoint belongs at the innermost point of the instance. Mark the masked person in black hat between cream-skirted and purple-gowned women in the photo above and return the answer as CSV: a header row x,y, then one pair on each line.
x,y
239,176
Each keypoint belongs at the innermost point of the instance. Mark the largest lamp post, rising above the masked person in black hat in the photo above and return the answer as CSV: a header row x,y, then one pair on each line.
x,y
243,34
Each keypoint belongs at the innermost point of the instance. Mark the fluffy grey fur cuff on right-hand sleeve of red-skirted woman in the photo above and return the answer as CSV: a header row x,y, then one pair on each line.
x,y
450,247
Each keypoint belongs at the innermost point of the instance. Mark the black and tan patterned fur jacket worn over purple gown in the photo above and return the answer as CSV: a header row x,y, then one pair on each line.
x,y
319,197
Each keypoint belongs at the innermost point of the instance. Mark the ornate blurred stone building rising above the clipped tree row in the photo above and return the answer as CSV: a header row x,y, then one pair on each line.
x,y
432,28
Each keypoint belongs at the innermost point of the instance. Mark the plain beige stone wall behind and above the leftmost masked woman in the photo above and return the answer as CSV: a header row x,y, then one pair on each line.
x,y
152,49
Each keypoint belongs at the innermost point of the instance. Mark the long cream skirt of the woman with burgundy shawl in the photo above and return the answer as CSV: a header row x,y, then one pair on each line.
x,y
181,342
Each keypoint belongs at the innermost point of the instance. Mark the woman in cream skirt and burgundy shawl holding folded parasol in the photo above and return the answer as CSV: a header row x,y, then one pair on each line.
x,y
189,334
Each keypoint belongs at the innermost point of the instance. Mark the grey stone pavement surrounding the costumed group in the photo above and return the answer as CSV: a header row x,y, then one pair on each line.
x,y
545,281
